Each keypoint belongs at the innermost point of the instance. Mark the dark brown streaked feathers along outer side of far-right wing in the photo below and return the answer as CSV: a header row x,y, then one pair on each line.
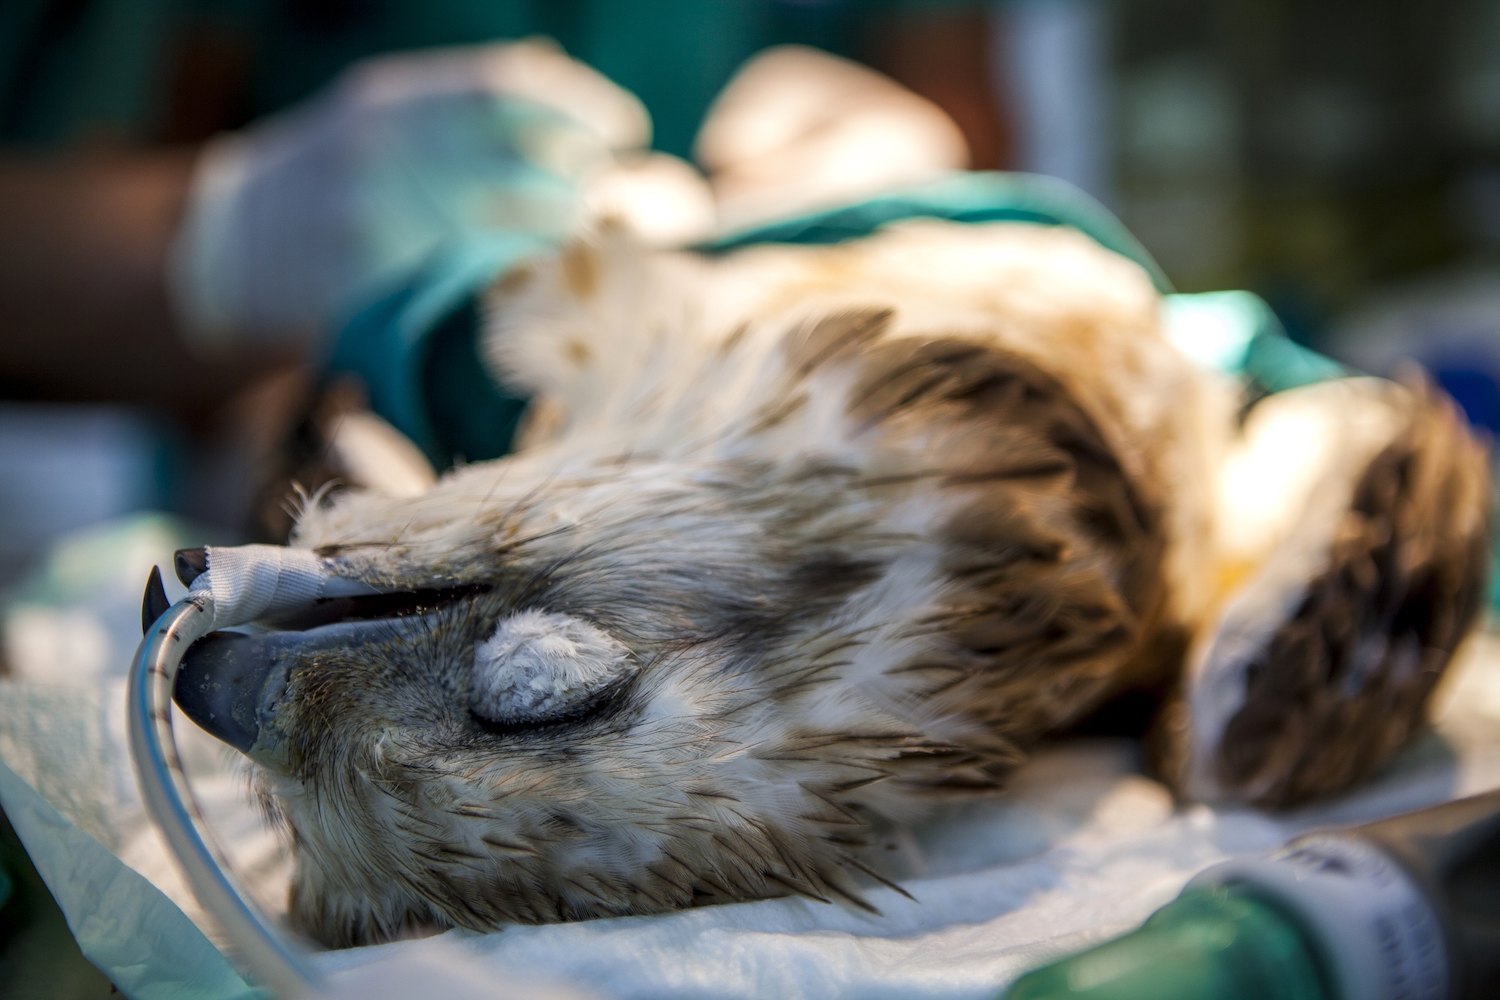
x,y
1345,683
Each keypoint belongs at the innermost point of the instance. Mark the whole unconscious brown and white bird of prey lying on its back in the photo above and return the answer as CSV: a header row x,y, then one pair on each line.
x,y
803,540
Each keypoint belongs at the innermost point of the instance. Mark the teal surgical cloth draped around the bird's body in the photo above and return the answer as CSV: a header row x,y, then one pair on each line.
x,y
418,347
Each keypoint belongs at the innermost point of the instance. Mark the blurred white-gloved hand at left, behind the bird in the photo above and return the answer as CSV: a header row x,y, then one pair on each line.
x,y
296,217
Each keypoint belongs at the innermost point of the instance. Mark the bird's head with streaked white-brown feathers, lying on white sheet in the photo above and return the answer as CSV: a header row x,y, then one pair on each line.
x,y
541,698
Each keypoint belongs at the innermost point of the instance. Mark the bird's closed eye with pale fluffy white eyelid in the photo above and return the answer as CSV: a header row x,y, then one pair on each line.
x,y
541,669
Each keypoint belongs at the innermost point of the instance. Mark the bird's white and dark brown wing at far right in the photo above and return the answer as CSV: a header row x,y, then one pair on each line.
x,y
1358,516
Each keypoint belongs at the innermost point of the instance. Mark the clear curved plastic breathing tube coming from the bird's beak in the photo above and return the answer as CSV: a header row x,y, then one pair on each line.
x,y
277,962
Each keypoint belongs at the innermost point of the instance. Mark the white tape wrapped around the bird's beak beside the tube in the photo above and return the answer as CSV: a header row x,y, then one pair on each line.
x,y
256,582
